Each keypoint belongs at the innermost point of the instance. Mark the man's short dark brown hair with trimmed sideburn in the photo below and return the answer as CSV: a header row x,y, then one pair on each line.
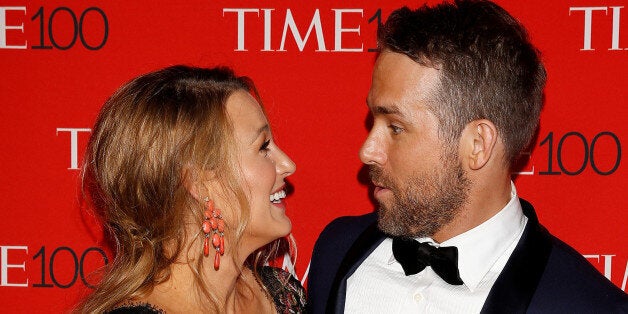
x,y
488,67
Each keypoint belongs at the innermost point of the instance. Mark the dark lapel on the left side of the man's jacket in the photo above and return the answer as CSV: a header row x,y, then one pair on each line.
x,y
361,248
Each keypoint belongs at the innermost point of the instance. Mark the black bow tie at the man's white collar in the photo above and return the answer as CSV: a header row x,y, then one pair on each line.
x,y
415,256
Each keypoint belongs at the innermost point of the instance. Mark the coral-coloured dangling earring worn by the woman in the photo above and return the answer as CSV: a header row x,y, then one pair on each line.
x,y
214,227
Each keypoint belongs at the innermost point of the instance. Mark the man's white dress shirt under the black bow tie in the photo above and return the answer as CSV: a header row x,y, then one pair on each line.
x,y
379,285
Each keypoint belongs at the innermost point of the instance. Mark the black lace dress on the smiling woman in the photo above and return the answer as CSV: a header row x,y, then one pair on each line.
x,y
286,291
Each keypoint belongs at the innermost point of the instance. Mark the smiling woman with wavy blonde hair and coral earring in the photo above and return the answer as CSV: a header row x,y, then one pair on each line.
x,y
185,174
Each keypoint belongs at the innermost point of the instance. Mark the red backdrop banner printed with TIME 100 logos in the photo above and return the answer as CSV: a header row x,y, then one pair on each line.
x,y
312,61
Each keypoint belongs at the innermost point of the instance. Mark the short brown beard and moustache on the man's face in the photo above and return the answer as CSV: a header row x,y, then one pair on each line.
x,y
425,203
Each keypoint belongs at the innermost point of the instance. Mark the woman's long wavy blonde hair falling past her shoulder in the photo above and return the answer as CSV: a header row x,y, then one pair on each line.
x,y
147,137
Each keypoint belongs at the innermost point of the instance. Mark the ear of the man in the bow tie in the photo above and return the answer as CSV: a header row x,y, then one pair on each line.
x,y
478,138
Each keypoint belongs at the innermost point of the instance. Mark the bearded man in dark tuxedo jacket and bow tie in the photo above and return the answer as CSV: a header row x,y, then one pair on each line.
x,y
455,98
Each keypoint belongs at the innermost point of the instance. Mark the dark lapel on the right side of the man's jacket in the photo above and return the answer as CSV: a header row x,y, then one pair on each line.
x,y
515,286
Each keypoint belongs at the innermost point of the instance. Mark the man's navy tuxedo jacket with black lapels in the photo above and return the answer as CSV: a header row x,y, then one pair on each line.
x,y
543,274
